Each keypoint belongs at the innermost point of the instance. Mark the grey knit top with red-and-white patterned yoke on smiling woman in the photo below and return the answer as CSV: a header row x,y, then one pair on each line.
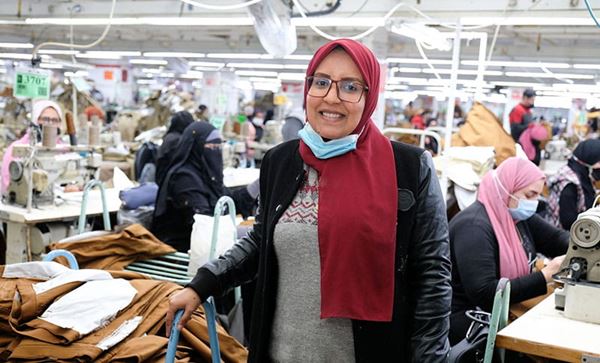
x,y
299,334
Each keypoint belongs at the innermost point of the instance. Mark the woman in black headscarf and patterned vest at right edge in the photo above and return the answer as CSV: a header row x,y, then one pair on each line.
x,y
571,188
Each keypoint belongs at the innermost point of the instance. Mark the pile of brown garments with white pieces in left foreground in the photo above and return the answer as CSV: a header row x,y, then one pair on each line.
x,y
49,312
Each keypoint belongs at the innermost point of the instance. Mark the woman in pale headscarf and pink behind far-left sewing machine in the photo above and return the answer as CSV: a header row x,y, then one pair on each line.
x,y
43,113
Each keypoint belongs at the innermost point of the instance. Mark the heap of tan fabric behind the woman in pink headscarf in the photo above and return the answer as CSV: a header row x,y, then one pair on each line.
x,y
482,128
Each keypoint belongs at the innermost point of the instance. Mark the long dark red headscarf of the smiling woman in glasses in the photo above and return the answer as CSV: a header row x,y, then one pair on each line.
x,y
357,209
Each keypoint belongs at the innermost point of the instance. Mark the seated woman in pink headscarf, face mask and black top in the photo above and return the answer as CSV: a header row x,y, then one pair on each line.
x,y
499,236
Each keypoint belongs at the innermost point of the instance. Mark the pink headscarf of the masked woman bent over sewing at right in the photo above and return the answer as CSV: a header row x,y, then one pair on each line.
x,y
513,174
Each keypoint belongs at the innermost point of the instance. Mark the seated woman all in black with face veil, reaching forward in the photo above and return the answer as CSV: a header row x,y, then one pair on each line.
x,y
193,183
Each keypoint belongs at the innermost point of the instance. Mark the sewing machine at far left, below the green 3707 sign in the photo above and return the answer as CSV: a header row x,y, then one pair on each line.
x,y
39,169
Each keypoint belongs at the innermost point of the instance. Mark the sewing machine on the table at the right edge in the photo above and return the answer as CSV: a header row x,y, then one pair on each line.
x,y
580,270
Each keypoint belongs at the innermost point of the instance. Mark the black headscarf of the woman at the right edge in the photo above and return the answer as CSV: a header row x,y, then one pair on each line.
x,y
588,152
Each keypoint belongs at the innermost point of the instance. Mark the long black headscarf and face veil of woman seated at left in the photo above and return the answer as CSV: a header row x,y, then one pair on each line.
x,y
196,168
